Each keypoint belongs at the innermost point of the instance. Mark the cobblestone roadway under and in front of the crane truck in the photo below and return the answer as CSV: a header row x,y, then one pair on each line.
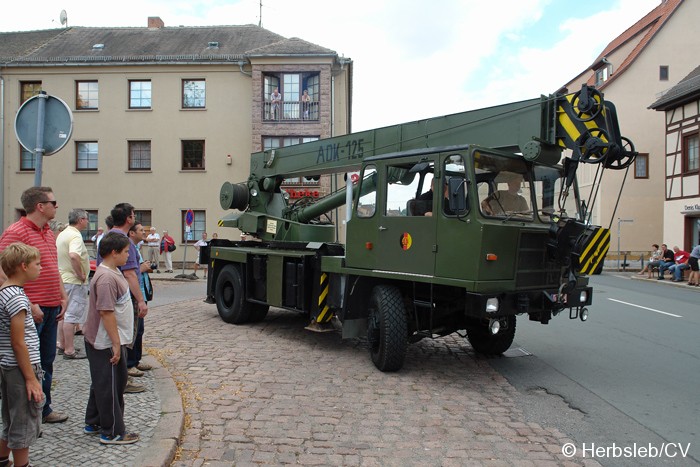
x,y
273,393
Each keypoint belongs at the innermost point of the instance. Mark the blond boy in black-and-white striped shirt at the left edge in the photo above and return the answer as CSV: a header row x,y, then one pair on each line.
x,y
20,361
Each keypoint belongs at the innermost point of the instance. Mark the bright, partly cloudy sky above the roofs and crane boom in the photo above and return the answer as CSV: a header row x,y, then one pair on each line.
x,y
412,59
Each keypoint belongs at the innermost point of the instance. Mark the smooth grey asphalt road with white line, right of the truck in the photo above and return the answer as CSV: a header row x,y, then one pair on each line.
x,y
630,374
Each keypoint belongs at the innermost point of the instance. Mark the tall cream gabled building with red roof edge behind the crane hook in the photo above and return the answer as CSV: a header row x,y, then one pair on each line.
x,y
634,70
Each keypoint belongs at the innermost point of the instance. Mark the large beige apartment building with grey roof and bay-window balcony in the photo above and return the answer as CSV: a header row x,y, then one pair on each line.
x,y
163,116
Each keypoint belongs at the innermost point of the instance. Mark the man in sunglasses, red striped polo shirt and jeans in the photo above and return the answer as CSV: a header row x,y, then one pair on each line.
x,y
46,294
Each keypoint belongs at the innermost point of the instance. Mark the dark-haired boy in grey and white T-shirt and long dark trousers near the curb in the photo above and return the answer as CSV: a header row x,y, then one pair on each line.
x,y
108,330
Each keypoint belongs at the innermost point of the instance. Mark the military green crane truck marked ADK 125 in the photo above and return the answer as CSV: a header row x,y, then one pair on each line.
x,y
505,234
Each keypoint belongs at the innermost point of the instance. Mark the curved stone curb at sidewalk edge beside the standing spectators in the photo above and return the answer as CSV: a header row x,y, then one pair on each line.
x,y
163,445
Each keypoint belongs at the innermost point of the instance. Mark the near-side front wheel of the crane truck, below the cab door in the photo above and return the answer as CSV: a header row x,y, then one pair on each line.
x,y
387,330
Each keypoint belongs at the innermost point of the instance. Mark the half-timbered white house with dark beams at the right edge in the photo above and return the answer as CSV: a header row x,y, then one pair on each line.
x,y
681,109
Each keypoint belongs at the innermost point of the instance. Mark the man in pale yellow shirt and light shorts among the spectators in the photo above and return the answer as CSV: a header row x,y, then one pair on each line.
x,y
74,266
